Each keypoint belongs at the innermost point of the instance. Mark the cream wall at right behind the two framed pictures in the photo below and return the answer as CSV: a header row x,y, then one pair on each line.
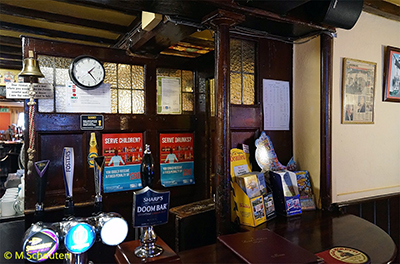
x,y
365,157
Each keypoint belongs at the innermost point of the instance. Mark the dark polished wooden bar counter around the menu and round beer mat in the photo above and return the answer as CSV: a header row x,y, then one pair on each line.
x,y
315,231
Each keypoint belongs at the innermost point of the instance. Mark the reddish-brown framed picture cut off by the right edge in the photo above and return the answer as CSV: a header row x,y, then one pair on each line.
x,y
391,91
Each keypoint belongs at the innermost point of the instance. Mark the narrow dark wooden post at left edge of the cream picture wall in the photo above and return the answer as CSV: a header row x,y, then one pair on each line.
x,y
326,120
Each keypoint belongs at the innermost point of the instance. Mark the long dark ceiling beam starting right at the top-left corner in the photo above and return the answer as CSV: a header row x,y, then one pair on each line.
x,y
57,18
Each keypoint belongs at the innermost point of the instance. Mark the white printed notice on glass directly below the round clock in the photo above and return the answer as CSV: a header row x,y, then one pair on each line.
x,y
88,101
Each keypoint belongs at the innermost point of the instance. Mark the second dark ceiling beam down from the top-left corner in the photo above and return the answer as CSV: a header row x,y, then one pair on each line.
x,y
54,33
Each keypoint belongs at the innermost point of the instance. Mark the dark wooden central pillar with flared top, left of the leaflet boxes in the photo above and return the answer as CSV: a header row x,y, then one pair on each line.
x,y
221,21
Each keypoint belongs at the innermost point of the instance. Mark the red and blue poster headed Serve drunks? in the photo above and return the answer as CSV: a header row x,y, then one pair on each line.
x,y
176,159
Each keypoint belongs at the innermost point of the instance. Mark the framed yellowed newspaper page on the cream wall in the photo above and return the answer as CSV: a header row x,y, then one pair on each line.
x,y
358,89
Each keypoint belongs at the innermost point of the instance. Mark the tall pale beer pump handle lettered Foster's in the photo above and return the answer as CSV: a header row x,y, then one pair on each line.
x,y
68,171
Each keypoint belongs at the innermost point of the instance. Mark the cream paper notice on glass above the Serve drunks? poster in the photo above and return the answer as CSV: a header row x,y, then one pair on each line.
x,y
169,95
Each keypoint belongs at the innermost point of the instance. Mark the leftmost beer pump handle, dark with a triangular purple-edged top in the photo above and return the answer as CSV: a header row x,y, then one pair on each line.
x,y
41,168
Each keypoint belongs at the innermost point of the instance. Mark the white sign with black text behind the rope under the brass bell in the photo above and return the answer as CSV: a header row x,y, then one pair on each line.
x,y
21,90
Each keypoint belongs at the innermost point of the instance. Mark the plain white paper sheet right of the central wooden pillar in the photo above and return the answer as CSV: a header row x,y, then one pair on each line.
x,y
276,105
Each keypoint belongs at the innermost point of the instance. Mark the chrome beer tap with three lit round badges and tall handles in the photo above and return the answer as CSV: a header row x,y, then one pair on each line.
x,y
77,235
